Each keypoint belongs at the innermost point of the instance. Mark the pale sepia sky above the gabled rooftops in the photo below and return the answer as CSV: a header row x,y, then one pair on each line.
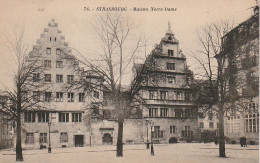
x,y
78,25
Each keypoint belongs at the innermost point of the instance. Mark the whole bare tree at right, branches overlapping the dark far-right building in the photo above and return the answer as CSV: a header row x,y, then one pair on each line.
x,y
218,90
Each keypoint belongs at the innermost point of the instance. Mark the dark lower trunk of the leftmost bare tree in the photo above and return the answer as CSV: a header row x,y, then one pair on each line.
x,y
19,152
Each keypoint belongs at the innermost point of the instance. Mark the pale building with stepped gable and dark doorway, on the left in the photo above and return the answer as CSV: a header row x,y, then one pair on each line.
x,y
64,106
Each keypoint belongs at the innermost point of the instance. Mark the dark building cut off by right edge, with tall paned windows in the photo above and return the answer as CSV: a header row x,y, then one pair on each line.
x,y
241,45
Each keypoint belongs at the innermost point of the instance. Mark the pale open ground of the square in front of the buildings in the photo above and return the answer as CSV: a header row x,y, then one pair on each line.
x,y
182,152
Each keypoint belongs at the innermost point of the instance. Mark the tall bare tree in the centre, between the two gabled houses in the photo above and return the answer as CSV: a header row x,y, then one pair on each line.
x,y
115,33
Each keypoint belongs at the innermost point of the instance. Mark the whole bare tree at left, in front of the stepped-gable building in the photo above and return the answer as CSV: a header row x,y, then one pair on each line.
x,y
26,94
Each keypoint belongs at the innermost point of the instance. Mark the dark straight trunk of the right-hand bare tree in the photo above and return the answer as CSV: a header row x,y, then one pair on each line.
x,y
222,152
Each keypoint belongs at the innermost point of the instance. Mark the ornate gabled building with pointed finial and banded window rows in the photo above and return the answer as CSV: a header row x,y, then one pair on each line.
x,y
167,95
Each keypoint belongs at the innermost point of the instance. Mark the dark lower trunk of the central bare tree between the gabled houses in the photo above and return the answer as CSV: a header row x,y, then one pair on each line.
x,y
119,145
